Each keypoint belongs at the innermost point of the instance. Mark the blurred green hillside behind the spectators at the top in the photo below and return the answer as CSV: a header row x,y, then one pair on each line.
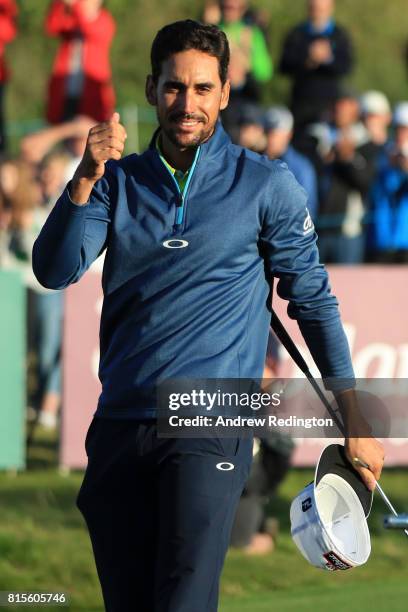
x,y
377,28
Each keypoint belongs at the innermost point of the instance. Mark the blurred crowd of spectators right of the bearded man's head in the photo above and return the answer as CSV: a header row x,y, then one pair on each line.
x,y
347,149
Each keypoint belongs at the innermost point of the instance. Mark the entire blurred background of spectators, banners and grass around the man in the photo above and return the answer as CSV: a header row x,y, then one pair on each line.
x,y
322,85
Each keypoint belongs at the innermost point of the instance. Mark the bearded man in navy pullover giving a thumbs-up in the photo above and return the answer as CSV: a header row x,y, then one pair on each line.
x,y
195,229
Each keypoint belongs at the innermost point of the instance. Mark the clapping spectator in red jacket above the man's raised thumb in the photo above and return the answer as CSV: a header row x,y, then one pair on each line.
x,y
81,78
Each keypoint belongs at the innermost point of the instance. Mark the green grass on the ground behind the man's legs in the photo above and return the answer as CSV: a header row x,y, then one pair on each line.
x,y
44,546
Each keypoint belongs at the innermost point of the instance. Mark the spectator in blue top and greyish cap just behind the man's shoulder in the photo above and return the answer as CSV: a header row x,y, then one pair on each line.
x,y
278,122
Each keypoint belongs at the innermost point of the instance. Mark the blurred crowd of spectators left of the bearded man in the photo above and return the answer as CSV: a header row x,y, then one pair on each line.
x,y
79,93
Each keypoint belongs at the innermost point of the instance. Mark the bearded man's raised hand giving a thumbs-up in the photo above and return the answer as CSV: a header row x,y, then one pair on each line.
x,y
105,141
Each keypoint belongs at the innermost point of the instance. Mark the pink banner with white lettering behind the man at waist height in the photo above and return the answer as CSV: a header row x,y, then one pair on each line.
x,y
373,307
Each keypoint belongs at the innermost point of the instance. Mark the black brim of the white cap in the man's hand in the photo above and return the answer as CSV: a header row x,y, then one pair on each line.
x,y
333,460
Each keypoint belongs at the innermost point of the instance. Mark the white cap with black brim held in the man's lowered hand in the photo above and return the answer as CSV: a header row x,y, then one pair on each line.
x,y
328,518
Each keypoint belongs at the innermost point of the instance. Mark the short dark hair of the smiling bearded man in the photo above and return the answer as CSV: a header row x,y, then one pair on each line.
x,y
185,35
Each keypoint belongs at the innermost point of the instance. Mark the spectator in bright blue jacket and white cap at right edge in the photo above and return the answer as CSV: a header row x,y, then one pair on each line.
x,y
389,230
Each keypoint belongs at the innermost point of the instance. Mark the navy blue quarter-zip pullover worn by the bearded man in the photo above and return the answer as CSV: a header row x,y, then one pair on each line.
x,y
187,277
